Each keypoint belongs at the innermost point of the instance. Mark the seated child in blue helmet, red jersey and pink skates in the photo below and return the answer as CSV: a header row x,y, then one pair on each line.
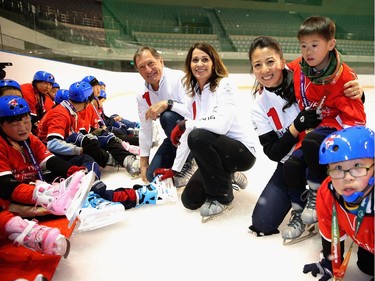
x,y
24,161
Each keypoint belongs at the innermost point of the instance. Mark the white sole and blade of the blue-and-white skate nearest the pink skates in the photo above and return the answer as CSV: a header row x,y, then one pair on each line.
x,y
93,222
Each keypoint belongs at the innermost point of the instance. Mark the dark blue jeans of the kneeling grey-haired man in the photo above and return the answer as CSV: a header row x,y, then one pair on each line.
x,y
166,153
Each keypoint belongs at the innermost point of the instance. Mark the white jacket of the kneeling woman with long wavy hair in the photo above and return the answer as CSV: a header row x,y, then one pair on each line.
x,y
217,112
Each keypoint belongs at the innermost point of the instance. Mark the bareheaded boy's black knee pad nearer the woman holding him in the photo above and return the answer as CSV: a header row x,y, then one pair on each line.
x,y
294,173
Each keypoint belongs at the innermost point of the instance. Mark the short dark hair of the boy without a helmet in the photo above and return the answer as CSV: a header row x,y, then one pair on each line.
x,y
321,26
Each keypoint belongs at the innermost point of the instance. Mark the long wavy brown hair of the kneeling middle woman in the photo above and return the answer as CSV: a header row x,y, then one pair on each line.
x,y
218,67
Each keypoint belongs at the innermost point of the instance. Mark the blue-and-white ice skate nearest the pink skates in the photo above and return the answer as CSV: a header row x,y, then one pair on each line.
x,y
97,212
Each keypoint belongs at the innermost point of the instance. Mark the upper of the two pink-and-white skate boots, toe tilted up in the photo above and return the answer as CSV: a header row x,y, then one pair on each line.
x,y
57,198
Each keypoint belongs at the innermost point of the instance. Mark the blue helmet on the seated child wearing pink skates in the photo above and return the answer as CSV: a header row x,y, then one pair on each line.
x,y
13,106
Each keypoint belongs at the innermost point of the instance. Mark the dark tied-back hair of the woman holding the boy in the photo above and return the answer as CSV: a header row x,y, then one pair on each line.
x,y
287,82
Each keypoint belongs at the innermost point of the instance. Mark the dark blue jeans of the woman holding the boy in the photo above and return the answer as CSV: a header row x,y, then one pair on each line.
x,y
274,203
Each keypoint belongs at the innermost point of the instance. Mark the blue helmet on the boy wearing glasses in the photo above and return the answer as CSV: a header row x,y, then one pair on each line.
x,y
347,144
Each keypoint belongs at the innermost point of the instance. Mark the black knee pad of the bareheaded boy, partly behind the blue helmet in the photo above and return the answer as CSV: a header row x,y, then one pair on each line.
x,y
310,148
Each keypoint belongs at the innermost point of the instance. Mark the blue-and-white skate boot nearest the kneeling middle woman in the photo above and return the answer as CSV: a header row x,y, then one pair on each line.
x,y
157,192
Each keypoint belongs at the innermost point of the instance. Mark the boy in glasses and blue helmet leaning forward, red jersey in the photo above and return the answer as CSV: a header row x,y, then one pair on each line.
x,y
345,202
